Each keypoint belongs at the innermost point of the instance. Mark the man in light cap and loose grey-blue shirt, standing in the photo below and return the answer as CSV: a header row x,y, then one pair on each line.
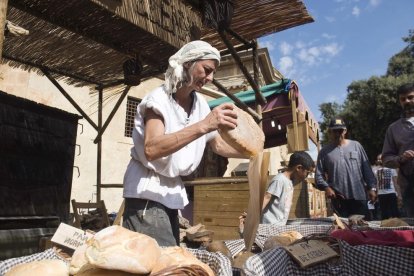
x,y
343,171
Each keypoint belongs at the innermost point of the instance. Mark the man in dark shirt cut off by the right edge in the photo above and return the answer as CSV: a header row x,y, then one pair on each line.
x,y
398,149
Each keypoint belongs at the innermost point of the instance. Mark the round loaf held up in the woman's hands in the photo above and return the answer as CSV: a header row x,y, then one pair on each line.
x,y
247,138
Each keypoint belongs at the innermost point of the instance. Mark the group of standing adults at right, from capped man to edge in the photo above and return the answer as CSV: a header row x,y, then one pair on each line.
x,y
343,170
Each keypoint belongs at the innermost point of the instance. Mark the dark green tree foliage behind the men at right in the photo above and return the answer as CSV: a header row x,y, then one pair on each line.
x,y
371,105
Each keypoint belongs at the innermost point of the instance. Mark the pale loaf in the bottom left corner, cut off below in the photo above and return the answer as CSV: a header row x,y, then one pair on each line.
x,y
40,268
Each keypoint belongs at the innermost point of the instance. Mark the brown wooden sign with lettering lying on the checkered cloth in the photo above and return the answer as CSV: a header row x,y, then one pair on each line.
x,y
310,252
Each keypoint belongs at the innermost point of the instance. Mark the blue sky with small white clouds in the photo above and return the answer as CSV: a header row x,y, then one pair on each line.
x,y
349,40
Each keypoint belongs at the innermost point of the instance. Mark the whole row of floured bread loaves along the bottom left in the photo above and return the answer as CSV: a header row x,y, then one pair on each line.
x,y
117,251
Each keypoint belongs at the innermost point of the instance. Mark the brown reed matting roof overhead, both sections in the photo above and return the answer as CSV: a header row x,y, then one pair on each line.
x,y
86,41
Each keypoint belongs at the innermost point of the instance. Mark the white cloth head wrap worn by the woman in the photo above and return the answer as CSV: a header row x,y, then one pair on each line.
x,y
194,50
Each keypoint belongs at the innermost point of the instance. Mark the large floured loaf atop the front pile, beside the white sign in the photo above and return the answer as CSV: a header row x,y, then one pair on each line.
x,y
117,248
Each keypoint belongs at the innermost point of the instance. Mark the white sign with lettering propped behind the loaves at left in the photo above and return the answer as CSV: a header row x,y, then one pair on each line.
x,y
70,236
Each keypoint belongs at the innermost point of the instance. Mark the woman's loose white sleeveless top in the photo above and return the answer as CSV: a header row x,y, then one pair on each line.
x,y
160,180
